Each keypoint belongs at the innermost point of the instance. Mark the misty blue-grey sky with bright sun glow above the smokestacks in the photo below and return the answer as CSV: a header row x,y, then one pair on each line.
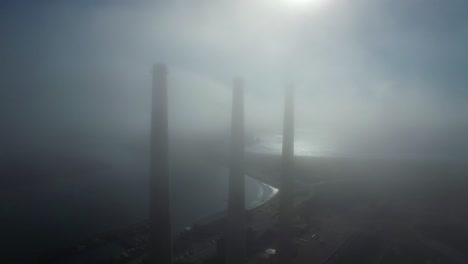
x,y
376,76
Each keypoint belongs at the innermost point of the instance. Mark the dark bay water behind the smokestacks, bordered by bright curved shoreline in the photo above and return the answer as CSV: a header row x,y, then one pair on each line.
x,y
68,209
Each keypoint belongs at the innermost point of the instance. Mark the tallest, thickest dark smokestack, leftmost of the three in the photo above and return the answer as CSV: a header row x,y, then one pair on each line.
x,y
160,209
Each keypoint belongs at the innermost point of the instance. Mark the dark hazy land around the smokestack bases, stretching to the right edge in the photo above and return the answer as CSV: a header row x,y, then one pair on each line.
x,y
346,211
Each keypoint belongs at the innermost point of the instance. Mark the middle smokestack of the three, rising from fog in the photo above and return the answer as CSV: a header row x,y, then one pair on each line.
x,y
236,202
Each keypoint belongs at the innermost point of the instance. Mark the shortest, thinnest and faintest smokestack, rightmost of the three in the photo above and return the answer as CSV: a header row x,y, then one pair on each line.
x,y
286,201
